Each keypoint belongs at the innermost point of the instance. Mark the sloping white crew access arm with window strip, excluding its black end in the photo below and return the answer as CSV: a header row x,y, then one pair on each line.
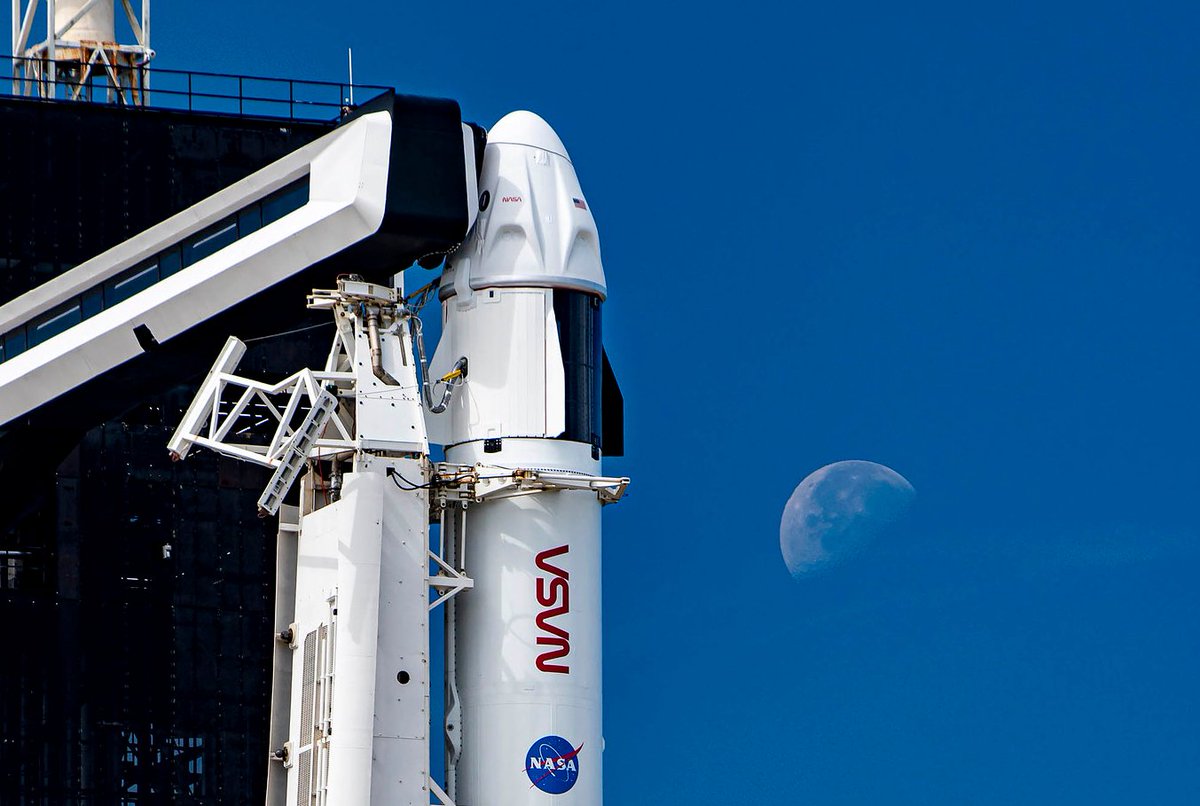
x,y
347,182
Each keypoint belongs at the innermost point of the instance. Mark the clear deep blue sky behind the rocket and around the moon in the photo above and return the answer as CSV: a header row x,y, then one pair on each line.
x,y
958,242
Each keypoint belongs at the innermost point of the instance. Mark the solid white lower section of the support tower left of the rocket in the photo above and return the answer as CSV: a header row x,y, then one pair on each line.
x,y
359,725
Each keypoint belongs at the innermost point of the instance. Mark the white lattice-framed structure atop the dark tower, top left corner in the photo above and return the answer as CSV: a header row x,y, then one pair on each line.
x,y
81,57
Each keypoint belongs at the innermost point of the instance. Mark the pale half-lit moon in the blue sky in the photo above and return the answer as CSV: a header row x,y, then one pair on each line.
x,y
837,512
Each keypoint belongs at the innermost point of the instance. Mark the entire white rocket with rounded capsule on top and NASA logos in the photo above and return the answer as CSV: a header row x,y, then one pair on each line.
x,y
521,303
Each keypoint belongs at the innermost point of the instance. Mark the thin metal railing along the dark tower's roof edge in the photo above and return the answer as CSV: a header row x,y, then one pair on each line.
x,y
178,89
